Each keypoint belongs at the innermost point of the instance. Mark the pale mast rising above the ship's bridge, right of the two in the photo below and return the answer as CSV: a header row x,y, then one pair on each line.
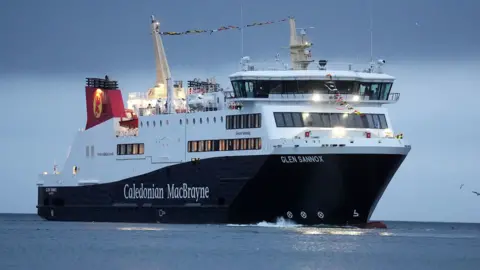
x,y
300,54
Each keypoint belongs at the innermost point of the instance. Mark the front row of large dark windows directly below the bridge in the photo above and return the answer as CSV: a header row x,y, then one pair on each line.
x,y
328,120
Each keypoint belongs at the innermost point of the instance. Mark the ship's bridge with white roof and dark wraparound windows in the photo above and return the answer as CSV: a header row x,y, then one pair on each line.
x,y
314,84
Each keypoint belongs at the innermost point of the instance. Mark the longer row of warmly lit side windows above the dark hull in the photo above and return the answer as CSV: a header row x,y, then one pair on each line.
x,y
225,145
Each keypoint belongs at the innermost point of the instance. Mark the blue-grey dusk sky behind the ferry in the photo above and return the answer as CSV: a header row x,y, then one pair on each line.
x,y
48,47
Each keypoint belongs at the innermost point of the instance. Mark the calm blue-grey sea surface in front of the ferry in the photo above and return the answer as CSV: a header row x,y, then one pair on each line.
x,y
27,242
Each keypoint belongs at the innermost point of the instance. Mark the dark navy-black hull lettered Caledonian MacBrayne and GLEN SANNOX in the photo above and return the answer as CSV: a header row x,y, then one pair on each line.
x,y
336,189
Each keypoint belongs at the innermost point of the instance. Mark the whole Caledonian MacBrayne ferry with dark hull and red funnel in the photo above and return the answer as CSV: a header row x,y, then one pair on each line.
x,y
315,146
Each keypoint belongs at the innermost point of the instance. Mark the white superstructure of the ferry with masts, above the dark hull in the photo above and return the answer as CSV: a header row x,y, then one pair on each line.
x,y
293,111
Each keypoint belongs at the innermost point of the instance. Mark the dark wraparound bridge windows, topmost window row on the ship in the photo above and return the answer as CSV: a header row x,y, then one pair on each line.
x,y
261,89
